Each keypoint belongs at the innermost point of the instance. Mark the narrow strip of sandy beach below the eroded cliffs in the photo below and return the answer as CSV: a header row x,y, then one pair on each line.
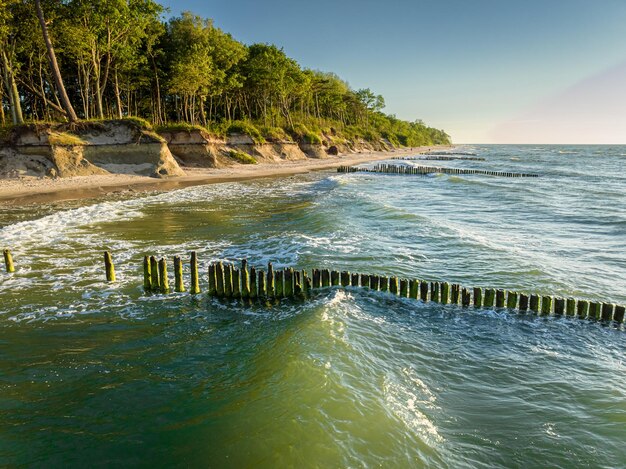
x,y
37,191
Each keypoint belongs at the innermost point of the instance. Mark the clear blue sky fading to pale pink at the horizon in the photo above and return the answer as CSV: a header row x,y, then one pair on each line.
x,y
485,71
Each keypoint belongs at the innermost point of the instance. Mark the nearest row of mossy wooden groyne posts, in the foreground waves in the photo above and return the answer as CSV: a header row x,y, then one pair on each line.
x,y
240,282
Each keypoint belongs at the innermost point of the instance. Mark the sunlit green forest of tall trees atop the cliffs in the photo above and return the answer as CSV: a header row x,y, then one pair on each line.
x,y
63,61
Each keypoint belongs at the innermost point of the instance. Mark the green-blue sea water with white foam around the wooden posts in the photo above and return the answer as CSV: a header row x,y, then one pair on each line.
x,y
98,374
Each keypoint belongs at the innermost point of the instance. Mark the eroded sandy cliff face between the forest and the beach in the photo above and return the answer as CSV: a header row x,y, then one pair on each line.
x,y
61,150
